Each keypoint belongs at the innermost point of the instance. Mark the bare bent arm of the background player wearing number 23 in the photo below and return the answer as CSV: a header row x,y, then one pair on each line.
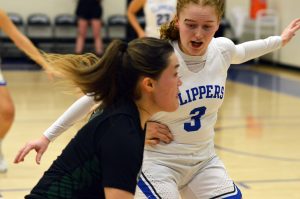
x,y
133,8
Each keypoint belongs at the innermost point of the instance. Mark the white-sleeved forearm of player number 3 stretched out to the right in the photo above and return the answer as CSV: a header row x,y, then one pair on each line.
x,y
253,49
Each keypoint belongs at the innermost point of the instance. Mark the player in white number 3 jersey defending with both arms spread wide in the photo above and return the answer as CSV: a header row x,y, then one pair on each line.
x,y
188,166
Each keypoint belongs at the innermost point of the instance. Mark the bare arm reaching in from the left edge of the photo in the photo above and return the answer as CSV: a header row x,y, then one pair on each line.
x,y
20,40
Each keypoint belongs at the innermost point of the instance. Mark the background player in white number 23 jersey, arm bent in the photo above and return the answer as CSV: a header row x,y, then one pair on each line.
x,y
157,12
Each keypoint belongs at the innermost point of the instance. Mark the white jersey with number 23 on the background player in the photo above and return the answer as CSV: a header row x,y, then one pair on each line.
x,y
158,12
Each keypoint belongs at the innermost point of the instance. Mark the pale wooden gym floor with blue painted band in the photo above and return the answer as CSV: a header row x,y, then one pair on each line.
x,y
257,134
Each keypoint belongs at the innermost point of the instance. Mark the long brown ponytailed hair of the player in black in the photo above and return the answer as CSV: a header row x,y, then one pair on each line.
x,y
116,74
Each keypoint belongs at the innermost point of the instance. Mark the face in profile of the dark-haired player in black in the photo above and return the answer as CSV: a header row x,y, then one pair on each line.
x,y
166,87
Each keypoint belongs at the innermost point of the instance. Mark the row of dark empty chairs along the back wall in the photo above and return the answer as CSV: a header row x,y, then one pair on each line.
x,y
59,34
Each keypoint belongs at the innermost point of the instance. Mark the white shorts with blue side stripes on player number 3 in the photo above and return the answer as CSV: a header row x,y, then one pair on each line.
x,y
172,177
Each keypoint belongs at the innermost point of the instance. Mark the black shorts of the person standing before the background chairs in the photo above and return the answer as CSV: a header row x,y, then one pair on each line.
x,y
89,9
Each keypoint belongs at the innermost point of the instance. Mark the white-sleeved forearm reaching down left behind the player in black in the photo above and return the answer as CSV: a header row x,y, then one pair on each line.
x,y
73,114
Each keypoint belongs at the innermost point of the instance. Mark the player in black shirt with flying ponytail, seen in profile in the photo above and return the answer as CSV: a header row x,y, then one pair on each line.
x,y
132,82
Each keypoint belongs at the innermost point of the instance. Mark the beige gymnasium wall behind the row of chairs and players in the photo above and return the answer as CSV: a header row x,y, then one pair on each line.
x,y
288,10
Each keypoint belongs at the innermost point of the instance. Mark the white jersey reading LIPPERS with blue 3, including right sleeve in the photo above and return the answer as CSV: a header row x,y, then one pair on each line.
x,y
202,93
